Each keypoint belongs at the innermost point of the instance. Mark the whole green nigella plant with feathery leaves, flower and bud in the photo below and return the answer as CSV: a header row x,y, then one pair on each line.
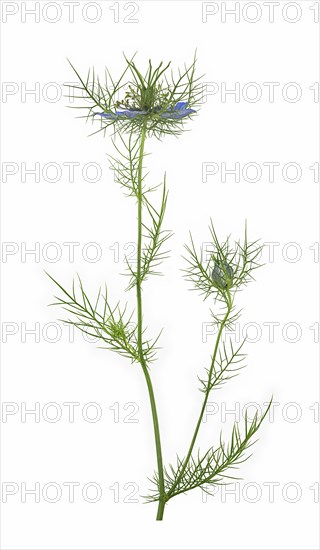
x,y
142,104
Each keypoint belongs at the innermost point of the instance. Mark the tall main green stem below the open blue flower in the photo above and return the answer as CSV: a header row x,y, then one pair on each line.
x,y
162,499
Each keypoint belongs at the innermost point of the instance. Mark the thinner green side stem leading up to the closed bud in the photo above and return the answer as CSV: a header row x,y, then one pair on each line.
x,y
203,408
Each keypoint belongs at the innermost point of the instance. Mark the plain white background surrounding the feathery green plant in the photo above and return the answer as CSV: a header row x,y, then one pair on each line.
x,y
39,128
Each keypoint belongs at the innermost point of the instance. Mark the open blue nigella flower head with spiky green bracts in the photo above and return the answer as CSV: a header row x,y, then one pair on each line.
x,y
155,98
